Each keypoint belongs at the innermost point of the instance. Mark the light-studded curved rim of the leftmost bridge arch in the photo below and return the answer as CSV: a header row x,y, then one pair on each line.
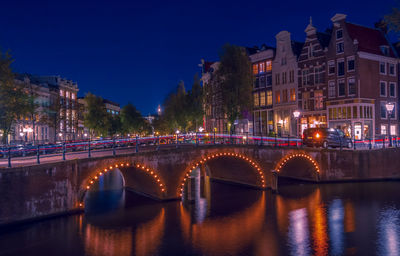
x,y
94,177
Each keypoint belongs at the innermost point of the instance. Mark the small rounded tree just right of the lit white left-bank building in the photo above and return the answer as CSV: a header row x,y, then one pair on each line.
x,y
96,116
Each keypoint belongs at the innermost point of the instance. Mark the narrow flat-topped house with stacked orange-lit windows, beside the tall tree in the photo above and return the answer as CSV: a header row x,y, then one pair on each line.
x,y
263,117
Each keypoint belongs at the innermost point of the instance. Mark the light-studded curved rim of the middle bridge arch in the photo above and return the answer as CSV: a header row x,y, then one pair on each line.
x,y
207,157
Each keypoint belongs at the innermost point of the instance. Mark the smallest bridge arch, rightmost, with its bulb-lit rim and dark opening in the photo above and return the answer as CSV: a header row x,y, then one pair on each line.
x,y
307,168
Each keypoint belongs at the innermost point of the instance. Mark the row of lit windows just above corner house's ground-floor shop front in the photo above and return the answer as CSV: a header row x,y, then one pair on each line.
x,y
349,112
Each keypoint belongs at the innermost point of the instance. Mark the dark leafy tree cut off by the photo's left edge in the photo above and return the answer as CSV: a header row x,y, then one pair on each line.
x,y
13,99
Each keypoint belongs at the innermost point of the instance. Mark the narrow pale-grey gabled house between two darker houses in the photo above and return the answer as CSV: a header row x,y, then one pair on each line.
x,y
285,84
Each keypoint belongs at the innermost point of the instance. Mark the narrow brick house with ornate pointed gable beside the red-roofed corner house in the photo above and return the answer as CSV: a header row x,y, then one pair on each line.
x,y
312,79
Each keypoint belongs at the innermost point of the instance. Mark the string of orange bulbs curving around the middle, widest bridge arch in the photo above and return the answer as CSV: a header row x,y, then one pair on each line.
x,y
224,154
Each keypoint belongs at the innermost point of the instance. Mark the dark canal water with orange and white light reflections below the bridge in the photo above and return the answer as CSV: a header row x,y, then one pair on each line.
x,y
328,219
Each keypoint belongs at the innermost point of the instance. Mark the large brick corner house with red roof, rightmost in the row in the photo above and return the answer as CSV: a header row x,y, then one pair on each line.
x,y
362,69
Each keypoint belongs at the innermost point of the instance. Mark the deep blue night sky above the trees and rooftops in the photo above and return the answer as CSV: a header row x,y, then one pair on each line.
x,y
138,51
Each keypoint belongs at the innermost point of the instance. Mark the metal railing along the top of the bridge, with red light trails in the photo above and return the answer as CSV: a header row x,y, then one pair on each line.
x,y
150,143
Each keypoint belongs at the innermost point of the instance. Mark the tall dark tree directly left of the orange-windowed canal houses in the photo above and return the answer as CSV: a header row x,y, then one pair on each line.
x,y
235,80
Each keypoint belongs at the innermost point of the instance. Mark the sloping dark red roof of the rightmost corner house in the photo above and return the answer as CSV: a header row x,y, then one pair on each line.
x,y
369,39
